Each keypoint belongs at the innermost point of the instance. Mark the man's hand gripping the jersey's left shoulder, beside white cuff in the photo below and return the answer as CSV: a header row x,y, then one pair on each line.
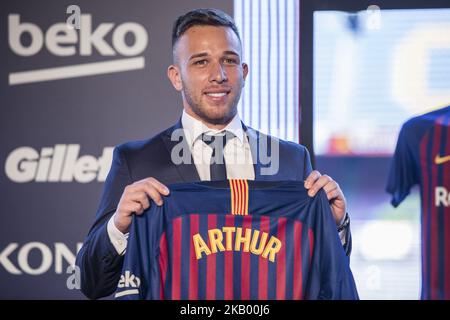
x,y
135,199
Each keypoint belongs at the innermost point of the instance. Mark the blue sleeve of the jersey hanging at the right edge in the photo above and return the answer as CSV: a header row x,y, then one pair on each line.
x,y
402,174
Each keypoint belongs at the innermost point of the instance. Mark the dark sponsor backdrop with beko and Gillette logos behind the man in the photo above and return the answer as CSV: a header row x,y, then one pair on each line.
x,y
67,97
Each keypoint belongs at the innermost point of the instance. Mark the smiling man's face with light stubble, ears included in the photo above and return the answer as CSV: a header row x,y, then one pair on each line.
x,y
209,73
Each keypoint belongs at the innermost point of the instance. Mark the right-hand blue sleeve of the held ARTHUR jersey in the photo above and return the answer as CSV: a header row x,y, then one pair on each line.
x,y
330,277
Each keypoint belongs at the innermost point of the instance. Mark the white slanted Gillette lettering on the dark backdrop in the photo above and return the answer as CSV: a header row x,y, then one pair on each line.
x,y
57,164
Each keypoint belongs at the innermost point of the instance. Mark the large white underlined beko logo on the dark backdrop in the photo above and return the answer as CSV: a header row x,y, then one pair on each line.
x,y
62,41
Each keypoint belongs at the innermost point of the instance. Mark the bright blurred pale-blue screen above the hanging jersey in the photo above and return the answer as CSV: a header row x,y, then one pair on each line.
x,y
373,70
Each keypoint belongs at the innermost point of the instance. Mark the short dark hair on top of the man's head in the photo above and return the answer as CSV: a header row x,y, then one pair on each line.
x,y
202,17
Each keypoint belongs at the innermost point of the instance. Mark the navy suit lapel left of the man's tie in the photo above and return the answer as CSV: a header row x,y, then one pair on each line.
x,y
187,171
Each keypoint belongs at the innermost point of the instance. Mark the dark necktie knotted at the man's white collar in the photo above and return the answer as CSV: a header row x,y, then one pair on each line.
x,y
218,170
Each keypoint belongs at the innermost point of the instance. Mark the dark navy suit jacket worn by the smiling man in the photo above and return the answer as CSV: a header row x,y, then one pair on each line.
x,y
100,264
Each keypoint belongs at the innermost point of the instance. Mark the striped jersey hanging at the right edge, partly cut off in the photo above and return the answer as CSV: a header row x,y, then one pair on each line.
x,y
422,157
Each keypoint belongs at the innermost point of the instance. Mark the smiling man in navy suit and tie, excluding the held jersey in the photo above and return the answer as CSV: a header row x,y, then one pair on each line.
x,y
209,74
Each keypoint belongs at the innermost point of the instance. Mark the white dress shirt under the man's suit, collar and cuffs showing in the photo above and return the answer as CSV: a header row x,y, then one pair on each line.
x,y
238,161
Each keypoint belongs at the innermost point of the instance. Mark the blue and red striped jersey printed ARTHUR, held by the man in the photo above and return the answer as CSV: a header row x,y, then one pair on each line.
x,y
241,240
